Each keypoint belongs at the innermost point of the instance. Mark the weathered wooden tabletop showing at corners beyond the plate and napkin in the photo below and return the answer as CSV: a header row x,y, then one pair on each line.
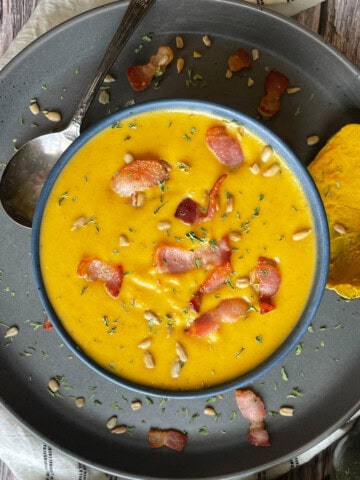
x,y
338,21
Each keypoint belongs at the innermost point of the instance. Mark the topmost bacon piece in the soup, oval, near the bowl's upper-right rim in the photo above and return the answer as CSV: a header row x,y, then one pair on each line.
x,y
226,148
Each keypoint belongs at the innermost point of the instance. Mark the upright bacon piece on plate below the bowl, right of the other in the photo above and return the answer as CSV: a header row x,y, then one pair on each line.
x,y
252,408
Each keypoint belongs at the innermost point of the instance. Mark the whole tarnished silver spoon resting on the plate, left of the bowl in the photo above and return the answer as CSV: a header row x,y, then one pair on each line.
x,y
27,170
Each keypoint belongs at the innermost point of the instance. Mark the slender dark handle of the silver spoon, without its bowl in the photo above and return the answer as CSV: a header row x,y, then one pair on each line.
x,y
133,15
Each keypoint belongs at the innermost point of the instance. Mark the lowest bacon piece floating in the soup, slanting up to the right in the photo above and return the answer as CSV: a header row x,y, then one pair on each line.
x,y
227,311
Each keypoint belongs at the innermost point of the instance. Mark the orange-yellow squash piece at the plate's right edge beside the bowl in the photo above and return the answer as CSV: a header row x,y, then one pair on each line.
x,y
336,172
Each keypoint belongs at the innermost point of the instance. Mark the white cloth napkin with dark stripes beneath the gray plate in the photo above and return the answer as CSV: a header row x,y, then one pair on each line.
x,y
27,456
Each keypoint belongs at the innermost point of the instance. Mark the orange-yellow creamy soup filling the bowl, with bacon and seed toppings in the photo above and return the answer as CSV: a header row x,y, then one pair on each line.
x,y
172,266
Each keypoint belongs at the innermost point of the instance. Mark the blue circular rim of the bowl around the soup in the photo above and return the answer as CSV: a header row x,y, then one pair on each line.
x,y
302,176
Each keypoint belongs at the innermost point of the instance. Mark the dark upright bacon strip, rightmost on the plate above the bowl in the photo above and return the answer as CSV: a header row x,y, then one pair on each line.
x,y
276,84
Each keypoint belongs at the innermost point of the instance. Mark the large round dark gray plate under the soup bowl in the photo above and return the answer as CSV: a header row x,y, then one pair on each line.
x,y
325,374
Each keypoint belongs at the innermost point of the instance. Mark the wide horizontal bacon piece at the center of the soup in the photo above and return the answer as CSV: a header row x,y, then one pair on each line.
x,y
173,259
